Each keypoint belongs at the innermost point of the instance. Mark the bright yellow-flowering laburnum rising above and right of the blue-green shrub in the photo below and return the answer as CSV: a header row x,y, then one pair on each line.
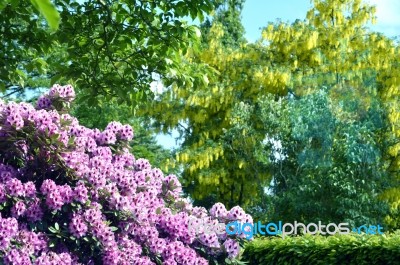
x,y
333,47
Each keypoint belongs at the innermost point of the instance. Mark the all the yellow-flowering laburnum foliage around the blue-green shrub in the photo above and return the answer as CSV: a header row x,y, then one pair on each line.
x,y
331,49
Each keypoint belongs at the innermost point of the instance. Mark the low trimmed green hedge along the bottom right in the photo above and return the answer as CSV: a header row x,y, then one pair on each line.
x,y
337,249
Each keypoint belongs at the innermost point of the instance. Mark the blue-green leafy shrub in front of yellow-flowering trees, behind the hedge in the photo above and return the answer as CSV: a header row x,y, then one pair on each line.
x,y
326,158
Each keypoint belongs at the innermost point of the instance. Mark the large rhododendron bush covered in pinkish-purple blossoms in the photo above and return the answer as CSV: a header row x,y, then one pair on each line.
x,y
74,195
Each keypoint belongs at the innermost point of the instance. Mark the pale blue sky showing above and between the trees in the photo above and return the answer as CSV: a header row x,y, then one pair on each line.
x,y
257,13
